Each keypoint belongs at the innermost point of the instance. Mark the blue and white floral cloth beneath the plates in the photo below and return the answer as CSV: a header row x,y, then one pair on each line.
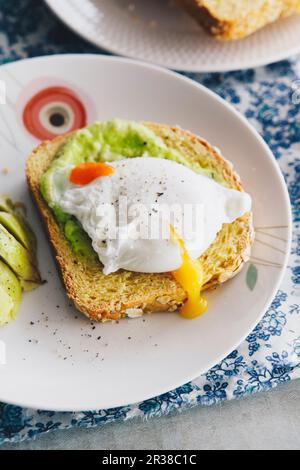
x,y
270,98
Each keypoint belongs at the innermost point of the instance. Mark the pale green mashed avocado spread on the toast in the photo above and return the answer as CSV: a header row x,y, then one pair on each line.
x,y
102,141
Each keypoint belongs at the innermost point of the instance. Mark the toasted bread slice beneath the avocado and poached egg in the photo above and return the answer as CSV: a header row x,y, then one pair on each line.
x,y
125,293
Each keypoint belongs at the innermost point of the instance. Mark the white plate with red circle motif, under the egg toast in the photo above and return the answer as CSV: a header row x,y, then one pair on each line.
x,y
58,360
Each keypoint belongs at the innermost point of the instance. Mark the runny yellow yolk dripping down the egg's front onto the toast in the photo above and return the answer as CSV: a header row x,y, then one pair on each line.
x,y
190,277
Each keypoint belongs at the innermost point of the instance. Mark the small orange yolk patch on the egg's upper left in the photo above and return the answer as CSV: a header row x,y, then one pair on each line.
x,y
87,172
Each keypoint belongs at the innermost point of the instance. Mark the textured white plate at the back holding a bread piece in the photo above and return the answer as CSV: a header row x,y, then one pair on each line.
x,y
159,32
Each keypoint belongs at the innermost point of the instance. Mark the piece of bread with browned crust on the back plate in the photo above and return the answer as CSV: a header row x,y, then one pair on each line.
x,y
236,19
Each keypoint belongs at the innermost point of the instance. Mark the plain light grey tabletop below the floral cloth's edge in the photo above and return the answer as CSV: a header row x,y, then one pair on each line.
x,y
265,421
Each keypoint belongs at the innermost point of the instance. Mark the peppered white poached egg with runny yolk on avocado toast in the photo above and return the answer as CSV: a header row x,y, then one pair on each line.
x,y
151,215
